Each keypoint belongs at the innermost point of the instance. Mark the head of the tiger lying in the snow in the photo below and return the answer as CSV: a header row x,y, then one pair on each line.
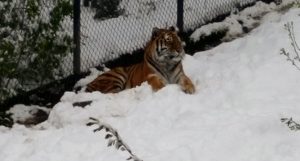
x,y
167,48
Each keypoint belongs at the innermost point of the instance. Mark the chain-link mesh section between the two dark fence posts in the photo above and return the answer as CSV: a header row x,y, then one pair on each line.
x,y
106,38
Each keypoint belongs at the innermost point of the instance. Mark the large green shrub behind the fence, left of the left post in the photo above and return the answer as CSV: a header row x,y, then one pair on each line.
x,y
33,43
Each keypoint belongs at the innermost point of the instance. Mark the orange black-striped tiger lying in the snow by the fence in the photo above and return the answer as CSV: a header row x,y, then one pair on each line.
x,y
162,65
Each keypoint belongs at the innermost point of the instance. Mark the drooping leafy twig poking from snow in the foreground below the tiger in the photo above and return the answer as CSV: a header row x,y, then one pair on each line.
x,y
113,137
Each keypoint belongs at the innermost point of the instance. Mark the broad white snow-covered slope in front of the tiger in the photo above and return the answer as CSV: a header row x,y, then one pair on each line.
x,y
244,88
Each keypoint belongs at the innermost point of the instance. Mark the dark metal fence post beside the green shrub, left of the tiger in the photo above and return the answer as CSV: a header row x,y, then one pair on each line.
x,y
76,36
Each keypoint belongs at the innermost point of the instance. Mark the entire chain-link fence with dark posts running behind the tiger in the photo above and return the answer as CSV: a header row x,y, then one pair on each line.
x,y
108,29
